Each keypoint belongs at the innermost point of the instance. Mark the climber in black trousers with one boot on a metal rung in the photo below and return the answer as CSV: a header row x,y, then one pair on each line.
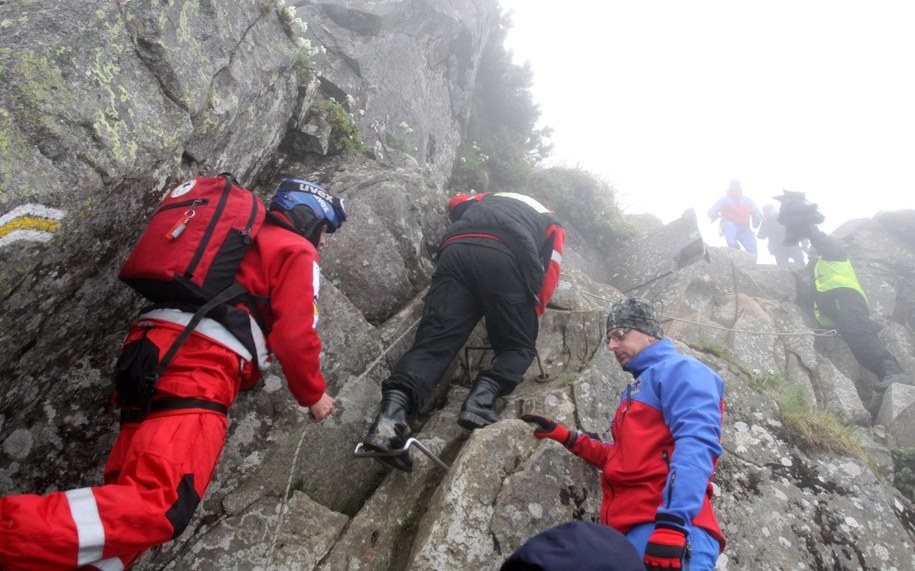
x,y
499,259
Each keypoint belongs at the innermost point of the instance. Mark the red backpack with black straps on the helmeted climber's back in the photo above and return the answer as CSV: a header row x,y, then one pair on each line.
x,y
187,258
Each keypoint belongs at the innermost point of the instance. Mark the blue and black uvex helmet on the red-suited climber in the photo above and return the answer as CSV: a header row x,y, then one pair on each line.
x,y
308,207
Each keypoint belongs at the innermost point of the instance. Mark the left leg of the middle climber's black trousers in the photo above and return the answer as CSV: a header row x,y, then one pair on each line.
x,y
451,311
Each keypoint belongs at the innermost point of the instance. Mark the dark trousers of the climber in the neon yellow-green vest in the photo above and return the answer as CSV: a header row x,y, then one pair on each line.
x,y
848,309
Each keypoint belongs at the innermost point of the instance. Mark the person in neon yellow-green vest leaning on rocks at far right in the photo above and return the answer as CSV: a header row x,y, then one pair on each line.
x,y
839,299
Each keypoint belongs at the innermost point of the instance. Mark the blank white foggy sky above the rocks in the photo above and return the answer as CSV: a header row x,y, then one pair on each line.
x,y
669,100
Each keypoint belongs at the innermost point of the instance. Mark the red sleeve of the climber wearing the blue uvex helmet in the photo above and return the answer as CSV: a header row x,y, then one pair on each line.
x,y
293,338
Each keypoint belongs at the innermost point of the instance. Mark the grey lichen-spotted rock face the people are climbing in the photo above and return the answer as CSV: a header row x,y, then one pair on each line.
x,y
107,104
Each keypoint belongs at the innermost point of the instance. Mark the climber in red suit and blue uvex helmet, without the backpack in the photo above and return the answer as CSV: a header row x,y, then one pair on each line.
x,y
163,458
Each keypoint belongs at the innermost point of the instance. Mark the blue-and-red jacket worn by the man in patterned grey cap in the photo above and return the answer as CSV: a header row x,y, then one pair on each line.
x,y
666,444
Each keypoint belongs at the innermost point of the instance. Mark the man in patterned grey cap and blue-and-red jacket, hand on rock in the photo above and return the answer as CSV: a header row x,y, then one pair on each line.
x,y
656,473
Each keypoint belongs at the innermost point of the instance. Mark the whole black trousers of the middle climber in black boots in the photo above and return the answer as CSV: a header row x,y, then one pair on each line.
x,y
470,282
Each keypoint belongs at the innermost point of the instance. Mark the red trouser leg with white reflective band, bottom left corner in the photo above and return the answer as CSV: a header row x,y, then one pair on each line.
x,y
155,478
